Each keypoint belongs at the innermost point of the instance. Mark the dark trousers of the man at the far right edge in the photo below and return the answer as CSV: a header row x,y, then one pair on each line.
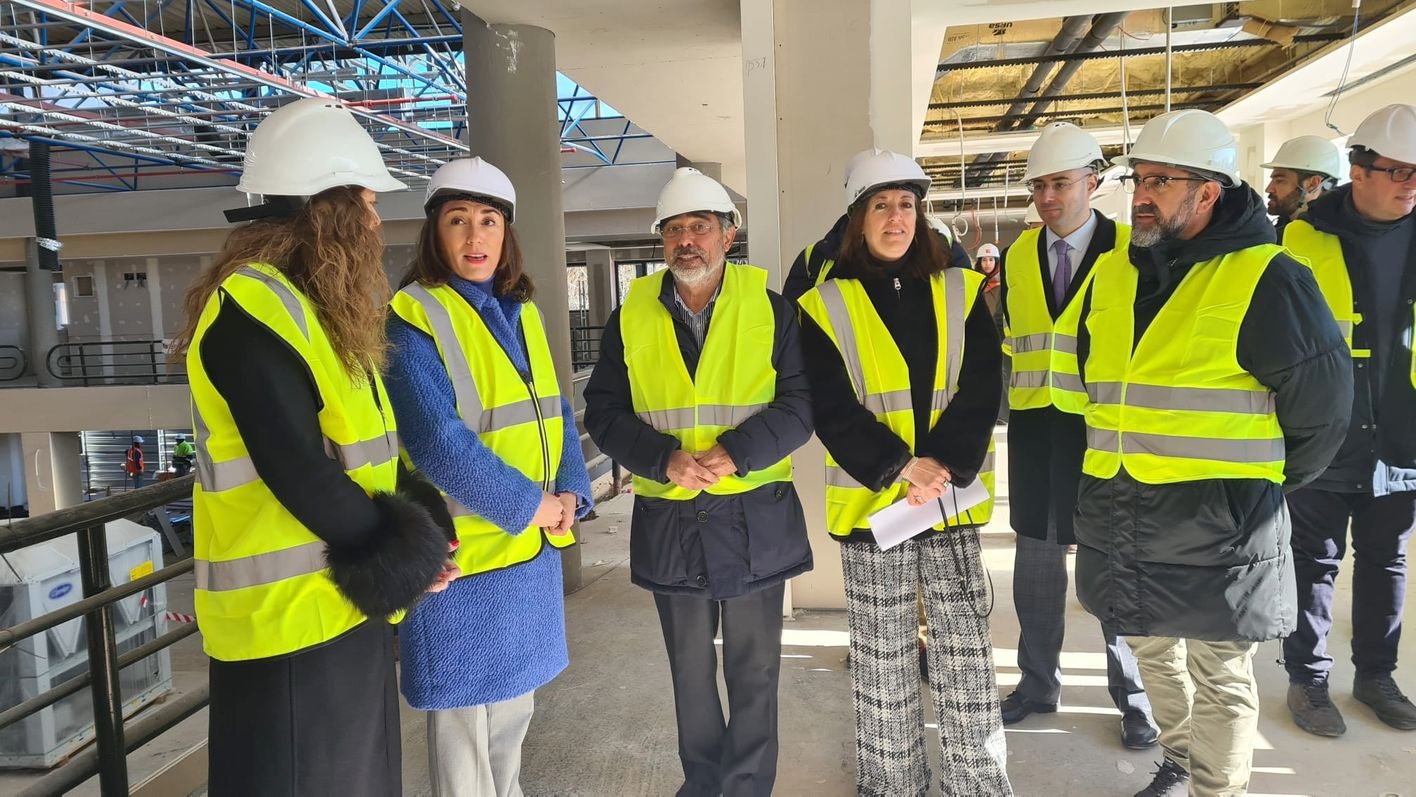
x,y
1381,529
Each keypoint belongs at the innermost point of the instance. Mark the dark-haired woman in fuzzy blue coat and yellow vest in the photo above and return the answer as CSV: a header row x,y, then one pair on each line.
x,y
482,417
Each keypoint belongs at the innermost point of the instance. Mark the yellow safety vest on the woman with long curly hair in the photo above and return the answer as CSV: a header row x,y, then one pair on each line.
x,y
263,587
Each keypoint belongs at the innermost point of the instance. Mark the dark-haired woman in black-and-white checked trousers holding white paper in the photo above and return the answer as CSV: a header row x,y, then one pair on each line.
x,y
904,363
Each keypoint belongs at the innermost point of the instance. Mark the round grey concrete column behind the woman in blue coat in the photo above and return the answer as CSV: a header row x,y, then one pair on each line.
x,y
512,105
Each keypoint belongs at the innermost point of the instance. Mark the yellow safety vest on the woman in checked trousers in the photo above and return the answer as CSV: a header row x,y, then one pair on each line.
x,y
881,380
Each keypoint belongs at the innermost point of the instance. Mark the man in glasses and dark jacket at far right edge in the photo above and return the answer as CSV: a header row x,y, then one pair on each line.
x,y
1361,243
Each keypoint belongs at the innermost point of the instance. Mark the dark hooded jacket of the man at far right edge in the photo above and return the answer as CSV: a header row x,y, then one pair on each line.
x,y
1380,452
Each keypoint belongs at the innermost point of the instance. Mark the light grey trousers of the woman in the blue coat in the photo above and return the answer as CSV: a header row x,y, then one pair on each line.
x,y
476,751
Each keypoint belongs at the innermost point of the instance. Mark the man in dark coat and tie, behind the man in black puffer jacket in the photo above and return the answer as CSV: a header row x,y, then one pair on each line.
x,y
1044,273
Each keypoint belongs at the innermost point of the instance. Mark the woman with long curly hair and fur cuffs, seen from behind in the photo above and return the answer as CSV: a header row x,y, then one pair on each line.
x,y
304,550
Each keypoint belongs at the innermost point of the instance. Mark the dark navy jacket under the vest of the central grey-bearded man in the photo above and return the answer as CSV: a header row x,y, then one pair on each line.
x,y
713,546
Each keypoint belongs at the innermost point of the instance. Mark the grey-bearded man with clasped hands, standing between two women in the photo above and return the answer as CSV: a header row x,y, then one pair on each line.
x,y
702,394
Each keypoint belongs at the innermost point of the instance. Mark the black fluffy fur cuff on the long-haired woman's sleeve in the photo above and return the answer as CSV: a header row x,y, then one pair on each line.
x,y
399,563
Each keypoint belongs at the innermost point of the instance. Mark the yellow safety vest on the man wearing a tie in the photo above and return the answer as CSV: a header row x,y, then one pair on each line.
x,y
1030,332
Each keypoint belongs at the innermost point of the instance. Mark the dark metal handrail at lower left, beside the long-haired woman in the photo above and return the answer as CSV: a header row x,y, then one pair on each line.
x,y
110,757
